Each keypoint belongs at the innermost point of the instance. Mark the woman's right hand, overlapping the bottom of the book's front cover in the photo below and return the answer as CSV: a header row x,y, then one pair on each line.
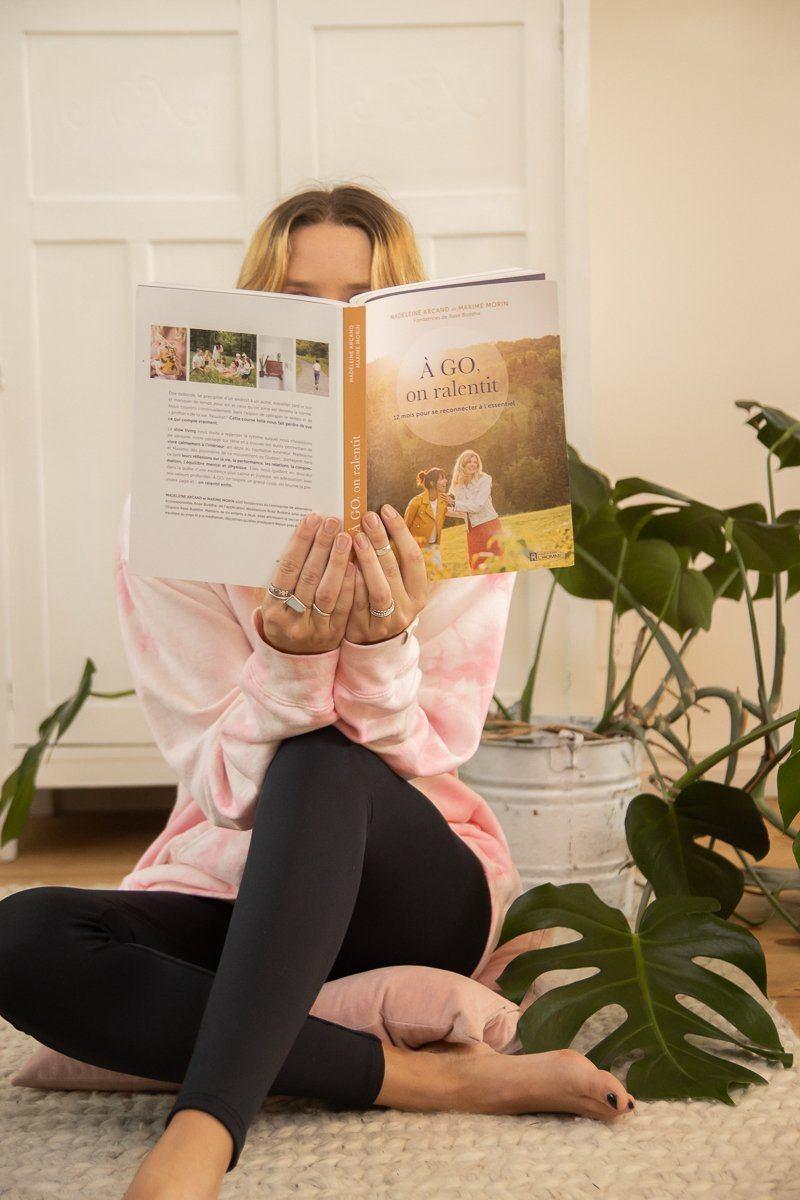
x,y
382,579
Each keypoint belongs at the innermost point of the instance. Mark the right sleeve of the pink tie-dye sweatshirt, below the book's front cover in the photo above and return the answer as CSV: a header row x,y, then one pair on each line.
x,y
422,704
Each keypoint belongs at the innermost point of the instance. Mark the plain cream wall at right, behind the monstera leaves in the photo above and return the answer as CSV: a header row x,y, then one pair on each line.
x,y
696,269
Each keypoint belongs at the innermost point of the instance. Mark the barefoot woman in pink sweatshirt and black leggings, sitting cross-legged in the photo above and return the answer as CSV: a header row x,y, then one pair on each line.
x,y
320,827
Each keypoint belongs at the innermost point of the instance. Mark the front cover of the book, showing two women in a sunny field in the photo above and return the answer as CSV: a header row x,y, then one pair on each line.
x,y
465,424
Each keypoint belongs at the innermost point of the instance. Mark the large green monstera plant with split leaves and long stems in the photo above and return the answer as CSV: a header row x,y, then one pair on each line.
x,y
671,560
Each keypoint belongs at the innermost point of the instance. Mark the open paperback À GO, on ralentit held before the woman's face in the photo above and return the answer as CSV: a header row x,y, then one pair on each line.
x,y
443,399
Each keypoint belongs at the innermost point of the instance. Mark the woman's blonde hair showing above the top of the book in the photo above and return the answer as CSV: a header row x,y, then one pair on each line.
x,y
396,256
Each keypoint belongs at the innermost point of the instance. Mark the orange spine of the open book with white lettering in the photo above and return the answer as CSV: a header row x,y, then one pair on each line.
x,y
354,401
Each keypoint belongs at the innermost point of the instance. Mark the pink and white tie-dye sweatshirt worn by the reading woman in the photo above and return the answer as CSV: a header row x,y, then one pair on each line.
x,y
220,700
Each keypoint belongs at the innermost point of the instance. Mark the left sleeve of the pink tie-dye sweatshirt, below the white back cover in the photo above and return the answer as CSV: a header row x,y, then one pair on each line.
x,y
216,707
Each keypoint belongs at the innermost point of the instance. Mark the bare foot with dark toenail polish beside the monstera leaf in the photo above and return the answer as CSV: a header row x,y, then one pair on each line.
x,y
554,1082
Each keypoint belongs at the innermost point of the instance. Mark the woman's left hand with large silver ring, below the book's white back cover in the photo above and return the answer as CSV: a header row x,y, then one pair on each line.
x,y
316,567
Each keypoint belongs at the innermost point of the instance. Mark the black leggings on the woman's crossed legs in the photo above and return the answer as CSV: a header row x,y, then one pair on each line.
x,y
350,868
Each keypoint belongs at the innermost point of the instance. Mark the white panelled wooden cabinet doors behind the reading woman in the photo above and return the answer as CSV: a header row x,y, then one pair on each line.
x,y
147,142
